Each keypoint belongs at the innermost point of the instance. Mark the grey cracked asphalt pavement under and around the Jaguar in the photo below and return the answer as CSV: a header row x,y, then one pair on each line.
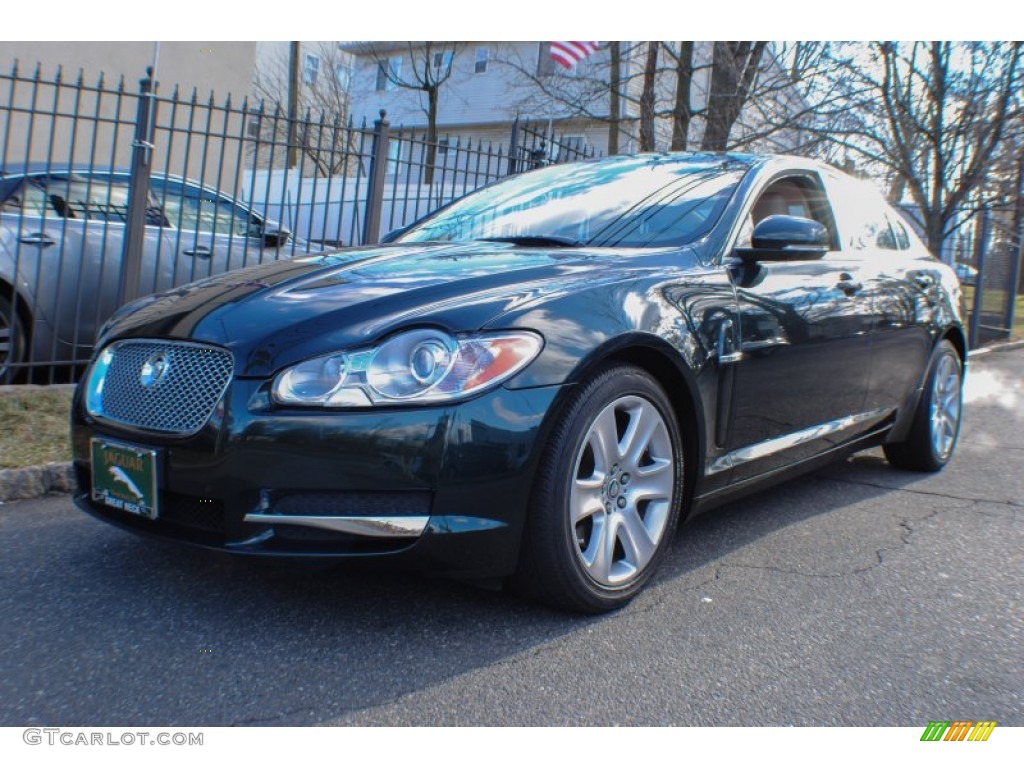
x,y
859,595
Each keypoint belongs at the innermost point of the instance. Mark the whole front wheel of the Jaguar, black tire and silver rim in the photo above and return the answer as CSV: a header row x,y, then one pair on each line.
x,y
607,495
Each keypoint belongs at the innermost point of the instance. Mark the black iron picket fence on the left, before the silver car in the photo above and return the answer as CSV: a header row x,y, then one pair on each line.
x,y
109,193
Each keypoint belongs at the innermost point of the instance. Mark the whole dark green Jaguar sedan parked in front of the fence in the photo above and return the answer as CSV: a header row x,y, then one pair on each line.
x,y
535,385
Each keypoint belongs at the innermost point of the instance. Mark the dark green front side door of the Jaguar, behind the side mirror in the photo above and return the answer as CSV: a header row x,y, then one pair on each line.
x,y
804,345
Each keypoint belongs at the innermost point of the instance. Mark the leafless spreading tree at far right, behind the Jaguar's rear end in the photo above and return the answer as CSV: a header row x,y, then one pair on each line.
x,y
932,116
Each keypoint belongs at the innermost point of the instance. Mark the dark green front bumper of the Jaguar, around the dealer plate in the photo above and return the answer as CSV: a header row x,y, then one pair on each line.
x,y
443,489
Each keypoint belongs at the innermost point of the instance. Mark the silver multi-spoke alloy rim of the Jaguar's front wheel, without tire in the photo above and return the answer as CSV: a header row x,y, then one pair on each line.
x,y
622,493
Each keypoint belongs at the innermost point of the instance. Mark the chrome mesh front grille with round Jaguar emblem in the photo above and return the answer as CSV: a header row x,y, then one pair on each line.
x,y
166,387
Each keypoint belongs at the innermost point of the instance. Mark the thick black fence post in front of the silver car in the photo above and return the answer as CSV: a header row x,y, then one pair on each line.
x,y
139,193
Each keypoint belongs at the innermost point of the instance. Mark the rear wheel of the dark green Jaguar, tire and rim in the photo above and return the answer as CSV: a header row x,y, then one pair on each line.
x,y
932,439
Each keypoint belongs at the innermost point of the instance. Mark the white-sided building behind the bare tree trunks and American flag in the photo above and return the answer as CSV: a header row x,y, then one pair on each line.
x,y
493,83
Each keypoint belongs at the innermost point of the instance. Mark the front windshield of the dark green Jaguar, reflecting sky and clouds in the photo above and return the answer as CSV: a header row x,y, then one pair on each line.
x,y
630,202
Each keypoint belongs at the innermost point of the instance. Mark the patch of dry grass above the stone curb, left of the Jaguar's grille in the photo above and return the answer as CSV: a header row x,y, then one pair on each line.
x,y
34,426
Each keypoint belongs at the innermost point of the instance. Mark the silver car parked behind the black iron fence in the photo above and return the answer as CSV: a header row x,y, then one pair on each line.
x,y
62,236
